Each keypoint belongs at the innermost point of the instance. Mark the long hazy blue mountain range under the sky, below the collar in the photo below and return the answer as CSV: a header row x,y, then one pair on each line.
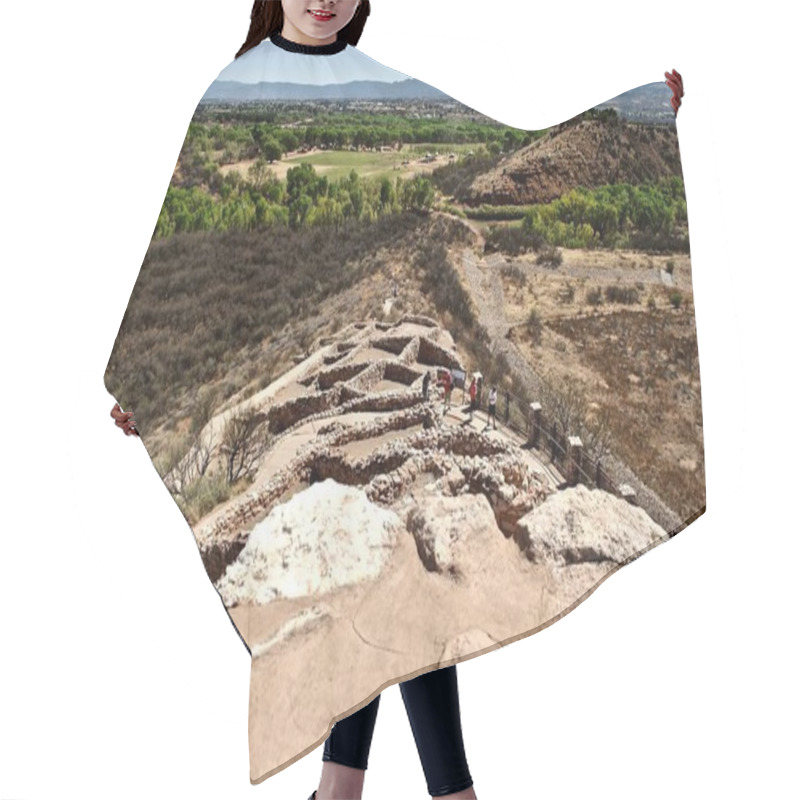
x,y
235,92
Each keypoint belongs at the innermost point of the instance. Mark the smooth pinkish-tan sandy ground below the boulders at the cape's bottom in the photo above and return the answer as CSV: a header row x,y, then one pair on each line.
x,y
407,618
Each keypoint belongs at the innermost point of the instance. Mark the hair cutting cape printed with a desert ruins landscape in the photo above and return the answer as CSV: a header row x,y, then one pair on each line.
x,y
419,381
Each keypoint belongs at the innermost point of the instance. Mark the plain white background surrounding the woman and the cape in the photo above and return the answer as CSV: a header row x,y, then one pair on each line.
x,y
121,674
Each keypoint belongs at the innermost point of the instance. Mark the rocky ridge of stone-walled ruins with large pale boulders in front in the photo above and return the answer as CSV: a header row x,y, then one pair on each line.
x,y
359,459
